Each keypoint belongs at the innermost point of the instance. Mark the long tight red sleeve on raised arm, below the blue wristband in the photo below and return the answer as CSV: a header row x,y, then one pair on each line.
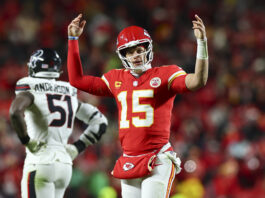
x,y
91,84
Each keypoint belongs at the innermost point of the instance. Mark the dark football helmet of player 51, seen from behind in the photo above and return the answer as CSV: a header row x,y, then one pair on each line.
x,y
45,63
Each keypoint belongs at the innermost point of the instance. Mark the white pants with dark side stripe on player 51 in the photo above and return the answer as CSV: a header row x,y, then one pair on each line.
x,y
45,180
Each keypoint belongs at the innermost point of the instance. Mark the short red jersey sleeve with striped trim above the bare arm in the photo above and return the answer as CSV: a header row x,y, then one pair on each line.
x,y
176,79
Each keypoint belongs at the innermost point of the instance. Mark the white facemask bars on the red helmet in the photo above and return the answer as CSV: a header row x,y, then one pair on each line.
x,y
146,57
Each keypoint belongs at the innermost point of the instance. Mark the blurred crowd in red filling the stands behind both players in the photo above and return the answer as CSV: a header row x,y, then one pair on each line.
x,y
218,131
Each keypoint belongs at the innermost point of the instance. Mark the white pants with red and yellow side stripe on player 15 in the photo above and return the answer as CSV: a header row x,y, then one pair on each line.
x,y
156,185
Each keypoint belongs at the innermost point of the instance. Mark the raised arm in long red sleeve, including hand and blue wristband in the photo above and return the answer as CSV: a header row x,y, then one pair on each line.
x,y
90,84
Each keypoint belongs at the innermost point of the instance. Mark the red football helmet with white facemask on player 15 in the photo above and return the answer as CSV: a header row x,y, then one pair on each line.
x,y
132,36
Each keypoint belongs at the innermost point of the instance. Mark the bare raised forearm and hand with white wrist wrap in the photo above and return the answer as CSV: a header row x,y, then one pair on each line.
x,y
198,79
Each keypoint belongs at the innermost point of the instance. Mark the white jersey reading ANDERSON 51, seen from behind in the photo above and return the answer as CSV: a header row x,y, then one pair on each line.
x,y
50,118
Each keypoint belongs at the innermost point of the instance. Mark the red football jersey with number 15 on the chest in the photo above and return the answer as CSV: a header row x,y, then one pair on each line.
x,y
145,105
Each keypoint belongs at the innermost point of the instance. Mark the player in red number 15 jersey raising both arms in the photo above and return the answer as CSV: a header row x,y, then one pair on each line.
x,y
144,97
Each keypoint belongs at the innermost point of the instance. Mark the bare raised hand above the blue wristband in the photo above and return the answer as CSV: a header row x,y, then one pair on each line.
x,y
75,28
